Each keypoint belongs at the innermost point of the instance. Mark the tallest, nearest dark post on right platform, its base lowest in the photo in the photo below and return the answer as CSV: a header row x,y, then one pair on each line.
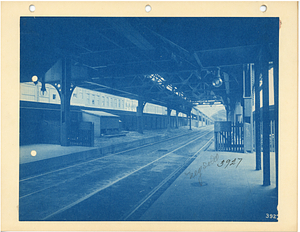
x,y
266,117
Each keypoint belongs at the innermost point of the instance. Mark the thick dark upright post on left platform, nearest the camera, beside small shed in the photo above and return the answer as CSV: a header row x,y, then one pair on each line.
x,y
65,95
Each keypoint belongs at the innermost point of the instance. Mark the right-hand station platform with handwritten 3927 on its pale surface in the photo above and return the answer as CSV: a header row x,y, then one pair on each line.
x,y
217,192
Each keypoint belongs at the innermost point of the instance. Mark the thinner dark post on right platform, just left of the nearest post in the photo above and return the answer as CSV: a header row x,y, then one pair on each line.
x,y
257,119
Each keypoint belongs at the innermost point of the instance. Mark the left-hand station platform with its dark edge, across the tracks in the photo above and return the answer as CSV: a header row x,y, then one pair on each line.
x,y
51,156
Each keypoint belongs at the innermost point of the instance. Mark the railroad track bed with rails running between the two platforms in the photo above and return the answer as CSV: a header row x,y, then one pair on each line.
x,y
63,193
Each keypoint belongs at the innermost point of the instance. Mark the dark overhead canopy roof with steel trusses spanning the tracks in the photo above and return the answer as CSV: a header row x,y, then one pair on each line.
x,y
166,61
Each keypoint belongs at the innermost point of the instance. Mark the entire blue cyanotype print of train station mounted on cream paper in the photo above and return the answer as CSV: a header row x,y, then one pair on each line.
x,y
149,119
